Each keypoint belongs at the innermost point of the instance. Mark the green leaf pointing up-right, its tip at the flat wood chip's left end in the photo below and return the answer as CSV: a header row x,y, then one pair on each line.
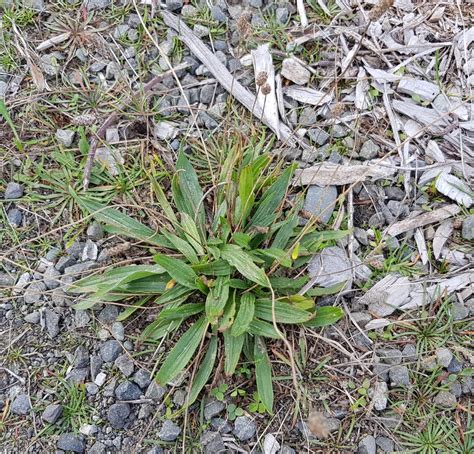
x,y
272,199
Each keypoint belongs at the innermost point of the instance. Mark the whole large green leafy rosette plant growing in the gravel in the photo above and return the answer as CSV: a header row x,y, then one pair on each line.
x,y
227,268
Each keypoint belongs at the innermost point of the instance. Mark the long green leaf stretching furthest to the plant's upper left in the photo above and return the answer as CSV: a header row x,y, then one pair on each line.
x,y
123,223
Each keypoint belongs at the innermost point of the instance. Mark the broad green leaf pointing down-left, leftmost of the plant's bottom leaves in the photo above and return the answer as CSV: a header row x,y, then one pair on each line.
x,y
182,352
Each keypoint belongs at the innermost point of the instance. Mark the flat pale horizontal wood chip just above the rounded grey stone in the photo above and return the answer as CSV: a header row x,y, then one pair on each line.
x,y
330,174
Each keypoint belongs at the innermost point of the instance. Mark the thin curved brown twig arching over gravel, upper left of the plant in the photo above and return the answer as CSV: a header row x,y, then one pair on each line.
x,y
114,117
